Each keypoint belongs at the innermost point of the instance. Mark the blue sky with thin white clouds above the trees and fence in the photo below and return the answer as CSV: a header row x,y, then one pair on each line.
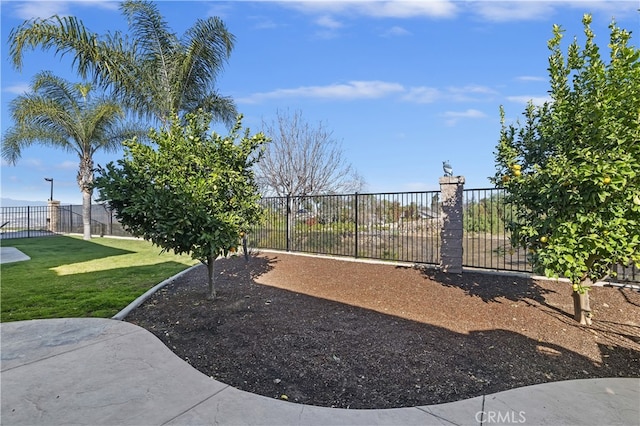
x,y
403,85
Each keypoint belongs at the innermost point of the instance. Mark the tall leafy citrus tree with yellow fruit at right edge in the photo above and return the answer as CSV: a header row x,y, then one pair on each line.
x,y
573,166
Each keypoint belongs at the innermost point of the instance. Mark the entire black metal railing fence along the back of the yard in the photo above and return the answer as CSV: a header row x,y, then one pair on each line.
x,y
402,226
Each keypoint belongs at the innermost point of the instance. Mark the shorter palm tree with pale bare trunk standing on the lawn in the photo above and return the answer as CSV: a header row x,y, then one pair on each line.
x,y
61,114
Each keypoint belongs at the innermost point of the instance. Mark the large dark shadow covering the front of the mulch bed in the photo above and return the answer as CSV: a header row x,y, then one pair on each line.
x,y
275,342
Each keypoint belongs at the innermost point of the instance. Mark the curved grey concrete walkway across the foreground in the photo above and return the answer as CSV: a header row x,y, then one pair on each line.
x,y
102,371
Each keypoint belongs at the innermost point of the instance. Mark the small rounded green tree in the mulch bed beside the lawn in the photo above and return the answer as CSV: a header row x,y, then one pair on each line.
x,y
194,194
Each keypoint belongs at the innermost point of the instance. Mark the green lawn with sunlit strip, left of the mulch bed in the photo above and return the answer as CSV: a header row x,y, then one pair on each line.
x,y
70,277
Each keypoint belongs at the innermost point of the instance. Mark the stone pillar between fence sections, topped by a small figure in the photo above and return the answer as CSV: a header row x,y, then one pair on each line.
x,y
451,232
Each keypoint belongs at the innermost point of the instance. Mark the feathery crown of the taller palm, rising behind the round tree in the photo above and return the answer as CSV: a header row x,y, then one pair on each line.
x,y
153,72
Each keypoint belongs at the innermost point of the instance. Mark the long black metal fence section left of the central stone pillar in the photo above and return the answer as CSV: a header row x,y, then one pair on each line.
x,y
390,226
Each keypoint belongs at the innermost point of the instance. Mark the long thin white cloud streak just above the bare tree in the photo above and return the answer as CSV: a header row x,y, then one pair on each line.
x,y
345,91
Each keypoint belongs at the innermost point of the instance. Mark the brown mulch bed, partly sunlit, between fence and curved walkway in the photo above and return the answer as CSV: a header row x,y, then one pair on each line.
x,y
339,333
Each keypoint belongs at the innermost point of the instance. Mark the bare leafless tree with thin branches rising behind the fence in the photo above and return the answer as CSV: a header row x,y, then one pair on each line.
x,y
304,160
